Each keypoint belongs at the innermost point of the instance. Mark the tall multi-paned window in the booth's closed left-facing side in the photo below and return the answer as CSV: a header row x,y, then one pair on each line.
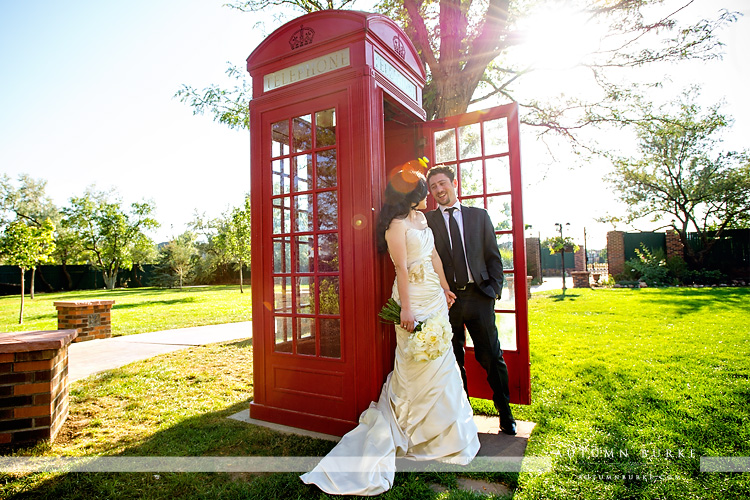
x,y
306,239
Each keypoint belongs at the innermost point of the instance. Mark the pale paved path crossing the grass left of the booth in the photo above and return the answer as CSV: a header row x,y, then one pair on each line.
x,y
94,356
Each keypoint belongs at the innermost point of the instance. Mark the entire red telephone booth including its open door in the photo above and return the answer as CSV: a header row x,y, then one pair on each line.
x,y
336,105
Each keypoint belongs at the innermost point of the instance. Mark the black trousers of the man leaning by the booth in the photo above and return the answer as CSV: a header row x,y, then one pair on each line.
x,y
475,310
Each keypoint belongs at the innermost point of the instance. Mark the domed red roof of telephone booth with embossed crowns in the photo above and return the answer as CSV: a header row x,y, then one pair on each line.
x,y
305,37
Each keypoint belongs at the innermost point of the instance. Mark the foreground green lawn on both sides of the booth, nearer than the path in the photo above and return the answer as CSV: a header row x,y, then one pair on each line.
x,y
659,375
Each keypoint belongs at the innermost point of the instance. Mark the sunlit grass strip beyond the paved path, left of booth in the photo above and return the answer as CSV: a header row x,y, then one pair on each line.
x,y
136,310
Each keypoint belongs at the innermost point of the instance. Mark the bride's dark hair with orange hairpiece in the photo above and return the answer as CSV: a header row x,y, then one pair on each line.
x,y
404,192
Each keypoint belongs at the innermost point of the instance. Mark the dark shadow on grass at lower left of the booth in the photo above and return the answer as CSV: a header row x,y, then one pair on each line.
x,y
211,434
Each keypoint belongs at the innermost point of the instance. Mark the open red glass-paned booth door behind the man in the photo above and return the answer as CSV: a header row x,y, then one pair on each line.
x,y
483,148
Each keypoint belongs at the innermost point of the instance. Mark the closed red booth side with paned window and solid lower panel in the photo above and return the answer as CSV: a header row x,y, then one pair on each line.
x,y
308,365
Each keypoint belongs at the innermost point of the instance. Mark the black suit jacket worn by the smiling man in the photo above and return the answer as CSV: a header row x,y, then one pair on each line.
x,y
480,243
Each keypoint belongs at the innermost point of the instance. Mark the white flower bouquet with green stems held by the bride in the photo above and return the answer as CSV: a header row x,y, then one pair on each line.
x,y
429,340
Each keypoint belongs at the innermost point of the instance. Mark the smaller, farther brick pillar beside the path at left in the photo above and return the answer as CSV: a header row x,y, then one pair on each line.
x,y
92,319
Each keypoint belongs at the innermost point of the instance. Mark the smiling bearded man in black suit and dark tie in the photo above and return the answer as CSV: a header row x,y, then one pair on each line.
x,y
465,235
